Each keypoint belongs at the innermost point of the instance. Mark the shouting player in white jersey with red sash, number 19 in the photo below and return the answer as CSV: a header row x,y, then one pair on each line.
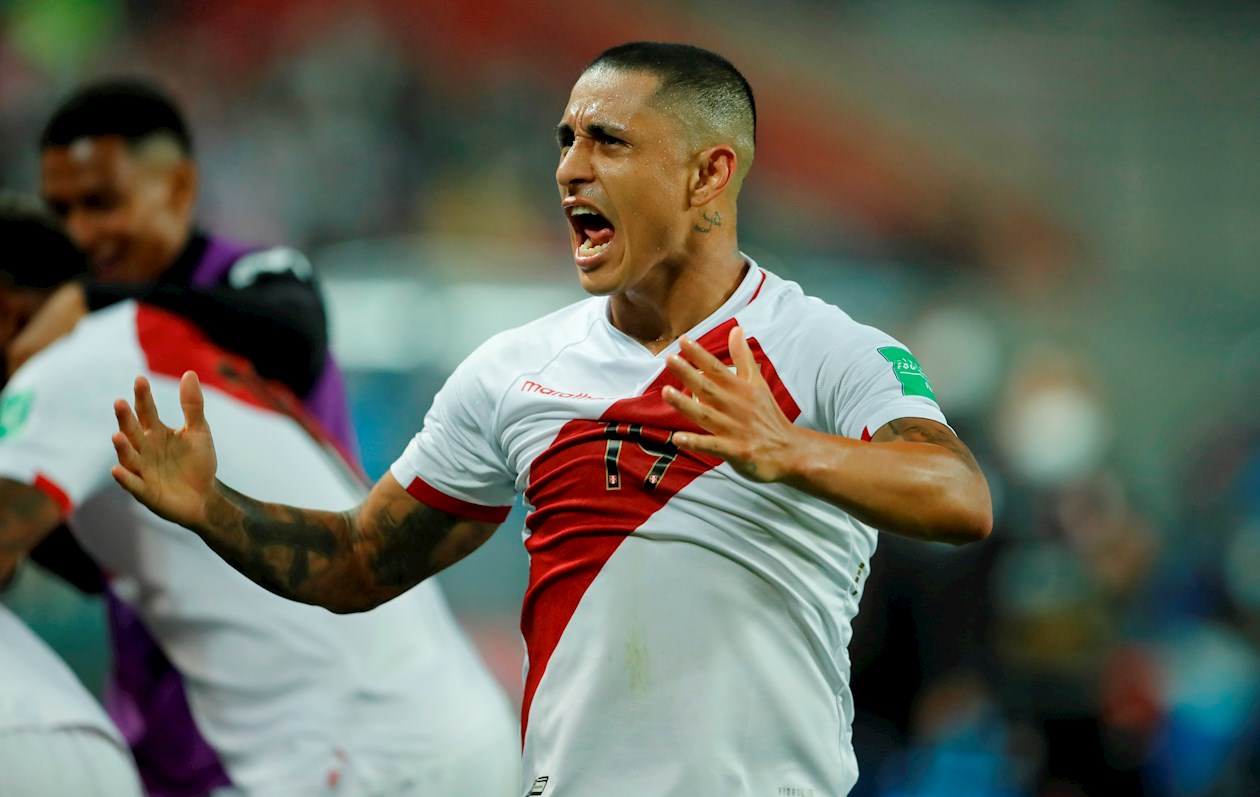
x,y
706,455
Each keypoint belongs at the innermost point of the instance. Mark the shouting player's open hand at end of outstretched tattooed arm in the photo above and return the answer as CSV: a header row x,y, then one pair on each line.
x,y
169,472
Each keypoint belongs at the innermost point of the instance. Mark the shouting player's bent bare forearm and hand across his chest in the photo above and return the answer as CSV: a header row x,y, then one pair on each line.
x,y
915,479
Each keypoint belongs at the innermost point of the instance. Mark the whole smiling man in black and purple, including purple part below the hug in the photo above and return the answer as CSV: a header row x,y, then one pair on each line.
x,y
118,167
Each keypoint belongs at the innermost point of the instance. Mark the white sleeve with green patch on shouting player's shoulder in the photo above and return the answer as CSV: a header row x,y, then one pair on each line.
x,y
871,381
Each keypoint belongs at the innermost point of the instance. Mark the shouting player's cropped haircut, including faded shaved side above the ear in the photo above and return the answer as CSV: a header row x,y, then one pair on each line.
x,y
707,93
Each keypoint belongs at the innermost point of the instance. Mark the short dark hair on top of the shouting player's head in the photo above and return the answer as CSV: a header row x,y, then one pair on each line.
x,y
706,80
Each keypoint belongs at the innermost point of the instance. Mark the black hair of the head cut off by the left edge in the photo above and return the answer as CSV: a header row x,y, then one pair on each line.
x,y
35,250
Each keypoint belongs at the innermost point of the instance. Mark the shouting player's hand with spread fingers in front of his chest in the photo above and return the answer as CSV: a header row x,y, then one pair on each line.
x,y
745,424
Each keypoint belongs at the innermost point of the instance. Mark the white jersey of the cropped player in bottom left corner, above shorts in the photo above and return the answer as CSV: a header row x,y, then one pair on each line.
x,y
37,691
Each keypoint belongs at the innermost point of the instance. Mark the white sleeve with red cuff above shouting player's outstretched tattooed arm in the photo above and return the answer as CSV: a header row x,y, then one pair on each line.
x,y
455,463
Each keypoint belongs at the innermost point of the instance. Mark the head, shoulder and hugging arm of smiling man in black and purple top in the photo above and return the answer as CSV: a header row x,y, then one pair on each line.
x,y
117,166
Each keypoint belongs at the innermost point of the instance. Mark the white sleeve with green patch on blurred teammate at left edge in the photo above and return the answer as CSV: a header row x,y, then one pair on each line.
x,y
56,424
